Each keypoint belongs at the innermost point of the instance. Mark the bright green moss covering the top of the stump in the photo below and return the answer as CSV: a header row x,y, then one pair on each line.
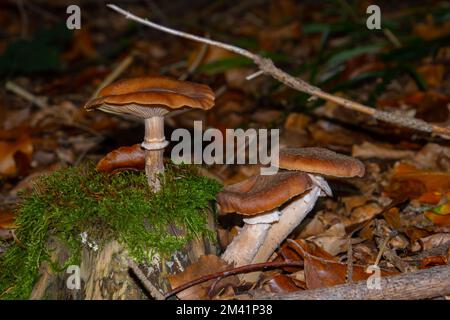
x,y
121,206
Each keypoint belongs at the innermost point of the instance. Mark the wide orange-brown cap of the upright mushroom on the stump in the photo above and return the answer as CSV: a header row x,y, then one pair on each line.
x,y
146,97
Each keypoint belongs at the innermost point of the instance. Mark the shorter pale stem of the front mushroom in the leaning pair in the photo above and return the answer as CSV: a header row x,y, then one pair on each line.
x,y
245,245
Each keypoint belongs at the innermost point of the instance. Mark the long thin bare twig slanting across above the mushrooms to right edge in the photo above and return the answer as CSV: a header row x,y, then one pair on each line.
x,y
267,66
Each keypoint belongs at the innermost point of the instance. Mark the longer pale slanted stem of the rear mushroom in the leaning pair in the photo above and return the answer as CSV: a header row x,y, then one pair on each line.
x,y
291,216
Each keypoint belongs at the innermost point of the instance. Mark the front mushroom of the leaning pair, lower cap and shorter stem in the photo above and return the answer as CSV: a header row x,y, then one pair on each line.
x,y
258,199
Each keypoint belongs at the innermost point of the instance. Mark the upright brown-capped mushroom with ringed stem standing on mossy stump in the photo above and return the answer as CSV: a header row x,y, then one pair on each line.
x,y
150,98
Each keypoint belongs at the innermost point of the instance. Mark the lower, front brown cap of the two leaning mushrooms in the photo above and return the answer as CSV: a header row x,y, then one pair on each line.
x,y
262,193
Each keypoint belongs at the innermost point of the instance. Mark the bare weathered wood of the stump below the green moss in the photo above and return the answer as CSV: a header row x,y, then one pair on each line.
x,y
106,275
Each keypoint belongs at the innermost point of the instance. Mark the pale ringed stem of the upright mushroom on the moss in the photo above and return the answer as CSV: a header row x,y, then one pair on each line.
x,y
154,144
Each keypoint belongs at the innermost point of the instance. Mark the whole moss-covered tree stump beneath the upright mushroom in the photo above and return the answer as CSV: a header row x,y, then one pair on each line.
x,y
79,218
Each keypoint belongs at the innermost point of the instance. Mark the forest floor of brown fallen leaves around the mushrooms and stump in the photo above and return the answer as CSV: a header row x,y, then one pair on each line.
x,y
396,217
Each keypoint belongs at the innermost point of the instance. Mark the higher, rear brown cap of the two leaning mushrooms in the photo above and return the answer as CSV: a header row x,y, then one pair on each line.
x,y
320,161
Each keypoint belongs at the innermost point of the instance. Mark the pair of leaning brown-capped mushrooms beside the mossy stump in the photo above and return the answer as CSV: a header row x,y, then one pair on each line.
x,y
274,205
